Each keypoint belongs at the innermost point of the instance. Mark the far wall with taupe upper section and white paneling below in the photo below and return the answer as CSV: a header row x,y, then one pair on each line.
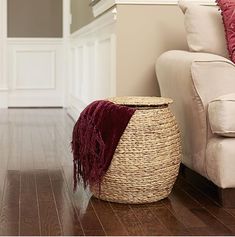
x,y
33,43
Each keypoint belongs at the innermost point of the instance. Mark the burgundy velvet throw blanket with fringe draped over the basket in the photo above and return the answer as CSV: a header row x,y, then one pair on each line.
x,y
95,138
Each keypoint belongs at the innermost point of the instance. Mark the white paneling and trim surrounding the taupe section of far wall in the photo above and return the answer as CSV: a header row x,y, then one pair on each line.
x,y
33,71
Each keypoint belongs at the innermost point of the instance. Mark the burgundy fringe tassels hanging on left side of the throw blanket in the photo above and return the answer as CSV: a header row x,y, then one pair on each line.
x,y
88,152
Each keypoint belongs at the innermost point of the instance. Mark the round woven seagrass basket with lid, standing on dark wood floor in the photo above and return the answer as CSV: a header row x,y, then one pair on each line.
x,y
146,161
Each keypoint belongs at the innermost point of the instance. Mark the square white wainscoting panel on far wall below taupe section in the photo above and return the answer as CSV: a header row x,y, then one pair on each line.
x,y
35,72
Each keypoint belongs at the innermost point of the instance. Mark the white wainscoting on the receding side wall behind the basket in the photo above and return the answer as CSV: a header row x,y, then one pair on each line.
x,y
92,63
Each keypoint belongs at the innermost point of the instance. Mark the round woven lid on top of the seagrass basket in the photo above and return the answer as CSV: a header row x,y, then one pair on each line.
x,y
140,100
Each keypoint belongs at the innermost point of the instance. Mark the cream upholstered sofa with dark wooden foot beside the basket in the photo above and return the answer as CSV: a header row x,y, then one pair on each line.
x,y
202,85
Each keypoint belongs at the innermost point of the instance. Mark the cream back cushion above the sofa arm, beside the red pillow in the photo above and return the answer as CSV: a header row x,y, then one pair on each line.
x,y
204,28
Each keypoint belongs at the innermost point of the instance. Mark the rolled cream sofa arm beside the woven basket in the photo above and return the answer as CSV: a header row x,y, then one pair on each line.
x,y
192,80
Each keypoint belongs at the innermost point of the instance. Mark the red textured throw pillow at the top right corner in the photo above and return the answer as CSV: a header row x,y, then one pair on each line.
x,y
227,8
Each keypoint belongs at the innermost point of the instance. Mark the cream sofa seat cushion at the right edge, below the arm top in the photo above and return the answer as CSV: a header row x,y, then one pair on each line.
x,y
221,112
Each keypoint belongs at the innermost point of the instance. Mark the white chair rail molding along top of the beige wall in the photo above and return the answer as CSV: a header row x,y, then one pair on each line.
x,y
103,5
